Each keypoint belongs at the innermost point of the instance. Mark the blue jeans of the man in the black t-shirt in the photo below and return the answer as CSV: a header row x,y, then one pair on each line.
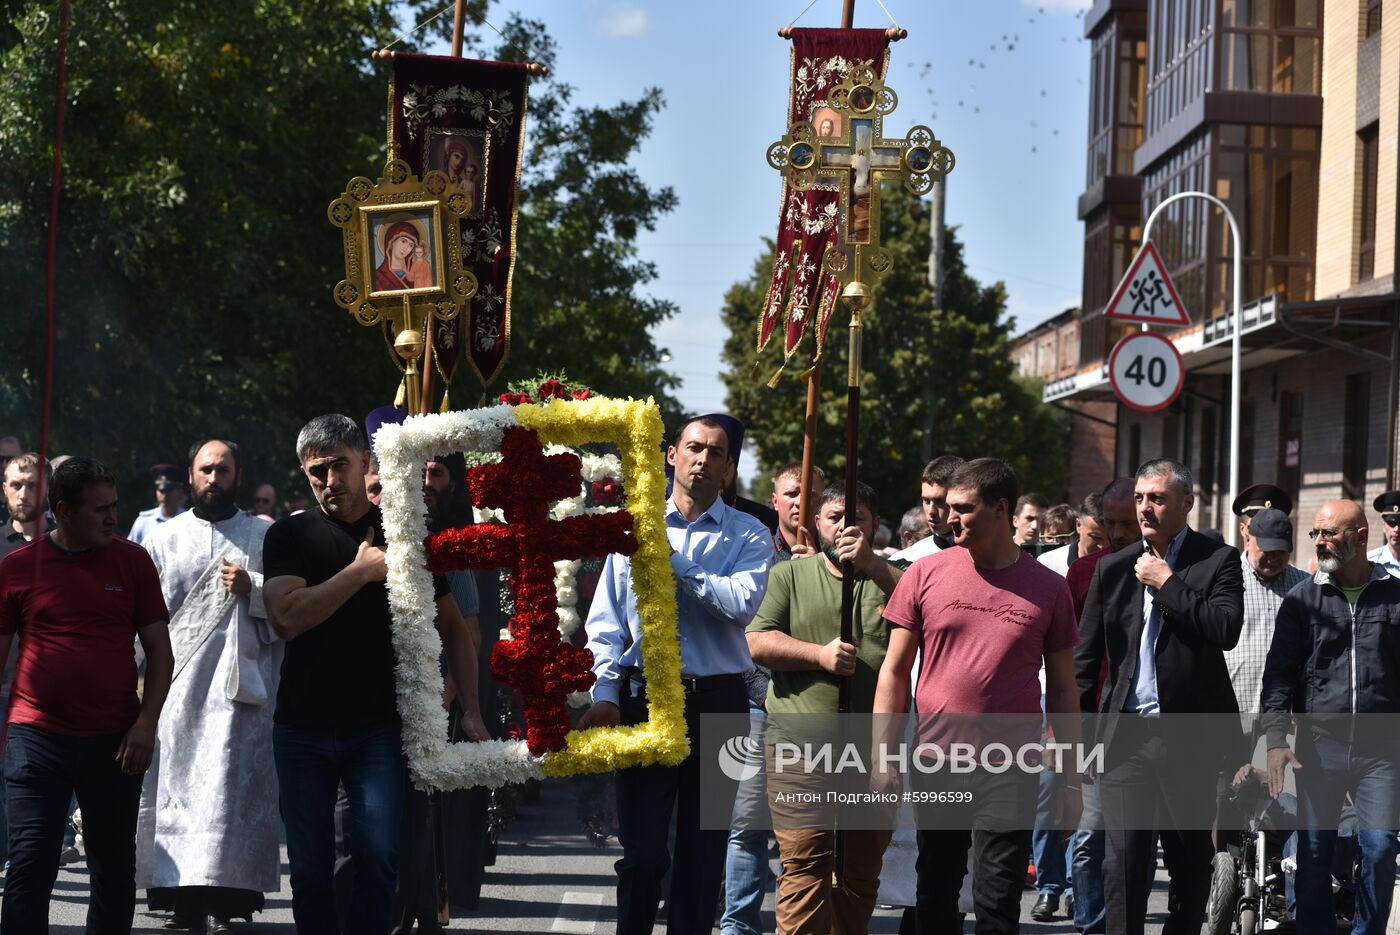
x,y
310,766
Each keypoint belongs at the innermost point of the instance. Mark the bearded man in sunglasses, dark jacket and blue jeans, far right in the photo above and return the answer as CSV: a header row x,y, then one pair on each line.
x,y
1333,654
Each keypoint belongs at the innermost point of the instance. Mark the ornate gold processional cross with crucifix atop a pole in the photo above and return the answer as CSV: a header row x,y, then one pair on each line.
x,y
846,149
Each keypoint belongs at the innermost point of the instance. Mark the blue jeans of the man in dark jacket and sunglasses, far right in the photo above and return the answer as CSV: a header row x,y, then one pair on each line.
x,y
1331,771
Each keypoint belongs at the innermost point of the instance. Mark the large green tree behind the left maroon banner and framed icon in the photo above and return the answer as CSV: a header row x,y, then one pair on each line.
x,y
202,146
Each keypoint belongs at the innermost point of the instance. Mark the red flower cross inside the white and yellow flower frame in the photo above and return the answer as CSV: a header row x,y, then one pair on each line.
x,y
535,661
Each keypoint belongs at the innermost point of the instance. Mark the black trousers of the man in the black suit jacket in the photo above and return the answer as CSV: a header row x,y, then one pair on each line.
x,y
1158,778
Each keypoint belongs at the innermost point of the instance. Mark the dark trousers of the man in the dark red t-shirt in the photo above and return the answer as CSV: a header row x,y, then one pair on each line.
x,y
43,772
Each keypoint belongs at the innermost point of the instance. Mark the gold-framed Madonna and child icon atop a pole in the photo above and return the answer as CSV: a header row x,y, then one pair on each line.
x,y
404,258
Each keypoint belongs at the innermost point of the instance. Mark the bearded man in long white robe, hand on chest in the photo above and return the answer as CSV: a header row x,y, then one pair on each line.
x,y
209,828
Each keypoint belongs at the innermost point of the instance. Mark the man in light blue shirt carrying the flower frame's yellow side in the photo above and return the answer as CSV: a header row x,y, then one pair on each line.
x,y
722,561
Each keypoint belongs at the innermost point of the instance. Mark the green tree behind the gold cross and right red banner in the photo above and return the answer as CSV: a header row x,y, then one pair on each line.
x,y
934,381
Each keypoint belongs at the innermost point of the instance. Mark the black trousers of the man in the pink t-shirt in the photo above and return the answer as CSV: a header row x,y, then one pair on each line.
x,y
997,827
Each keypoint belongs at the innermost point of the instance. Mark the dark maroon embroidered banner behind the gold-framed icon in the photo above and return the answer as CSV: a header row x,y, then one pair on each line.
x,y
467,118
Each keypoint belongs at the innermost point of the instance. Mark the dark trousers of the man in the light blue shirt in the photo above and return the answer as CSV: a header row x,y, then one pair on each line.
x,y
647,799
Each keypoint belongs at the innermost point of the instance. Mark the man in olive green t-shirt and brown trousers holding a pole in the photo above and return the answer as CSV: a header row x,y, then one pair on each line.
x,y
797,635
